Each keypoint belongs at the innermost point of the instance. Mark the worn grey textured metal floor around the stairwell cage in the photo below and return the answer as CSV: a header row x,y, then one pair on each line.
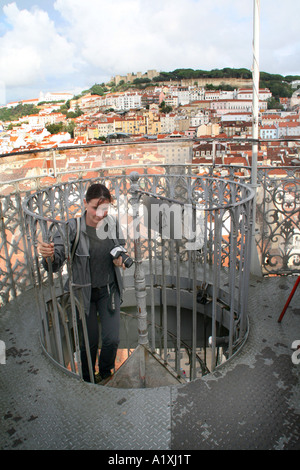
x,y
251,402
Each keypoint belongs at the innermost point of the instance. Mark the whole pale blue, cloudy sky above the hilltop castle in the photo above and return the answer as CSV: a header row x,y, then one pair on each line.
x,y
69,45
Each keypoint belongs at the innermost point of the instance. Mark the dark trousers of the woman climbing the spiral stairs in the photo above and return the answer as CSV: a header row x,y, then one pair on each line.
x,y
106,304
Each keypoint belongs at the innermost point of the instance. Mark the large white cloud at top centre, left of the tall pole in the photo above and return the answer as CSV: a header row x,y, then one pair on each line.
x,y
128,35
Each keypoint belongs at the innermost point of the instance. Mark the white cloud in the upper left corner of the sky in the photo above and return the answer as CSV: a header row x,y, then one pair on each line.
x,y
32,49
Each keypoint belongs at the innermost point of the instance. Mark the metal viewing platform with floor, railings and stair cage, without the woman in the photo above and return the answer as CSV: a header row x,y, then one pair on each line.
x,y
222,372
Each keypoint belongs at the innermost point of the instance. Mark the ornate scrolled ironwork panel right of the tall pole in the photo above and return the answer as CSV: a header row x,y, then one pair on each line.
x,y
278,220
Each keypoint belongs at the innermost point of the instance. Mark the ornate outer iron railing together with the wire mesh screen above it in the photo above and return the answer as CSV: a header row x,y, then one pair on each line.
x,y
277,216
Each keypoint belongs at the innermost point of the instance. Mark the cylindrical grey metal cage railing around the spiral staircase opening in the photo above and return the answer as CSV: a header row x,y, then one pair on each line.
x,y
191,246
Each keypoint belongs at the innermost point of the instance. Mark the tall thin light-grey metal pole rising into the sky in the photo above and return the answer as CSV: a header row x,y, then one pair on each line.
x,y
255,265
